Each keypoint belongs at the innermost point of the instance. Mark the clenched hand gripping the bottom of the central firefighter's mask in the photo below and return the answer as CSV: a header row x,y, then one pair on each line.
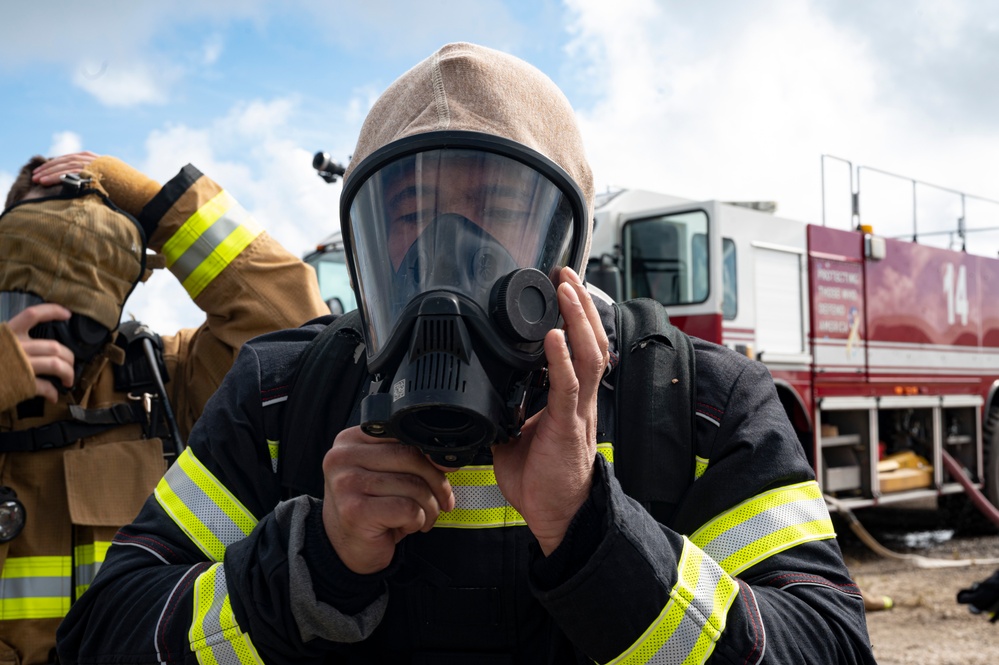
x,y
378,491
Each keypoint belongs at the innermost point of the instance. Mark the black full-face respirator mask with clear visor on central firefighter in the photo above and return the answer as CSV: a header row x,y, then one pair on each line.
x,y
456,242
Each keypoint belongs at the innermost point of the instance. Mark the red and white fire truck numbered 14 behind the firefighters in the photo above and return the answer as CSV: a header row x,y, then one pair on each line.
x,y
884,351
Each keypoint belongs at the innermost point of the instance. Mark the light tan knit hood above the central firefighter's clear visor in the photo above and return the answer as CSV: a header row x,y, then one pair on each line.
x,y
465,87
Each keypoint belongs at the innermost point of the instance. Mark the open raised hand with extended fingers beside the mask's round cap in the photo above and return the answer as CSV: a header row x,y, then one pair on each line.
x,y
547,473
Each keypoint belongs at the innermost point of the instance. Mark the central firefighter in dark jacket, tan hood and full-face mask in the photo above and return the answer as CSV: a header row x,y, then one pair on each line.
x,y
469,184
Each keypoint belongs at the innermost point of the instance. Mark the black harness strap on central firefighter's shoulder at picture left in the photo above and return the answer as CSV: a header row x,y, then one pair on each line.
x,y
327,380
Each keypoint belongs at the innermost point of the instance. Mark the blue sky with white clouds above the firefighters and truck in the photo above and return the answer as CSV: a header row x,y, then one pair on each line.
x,y
715,99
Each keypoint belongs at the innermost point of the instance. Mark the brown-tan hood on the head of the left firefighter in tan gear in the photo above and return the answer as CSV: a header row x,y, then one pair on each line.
x,y
79,252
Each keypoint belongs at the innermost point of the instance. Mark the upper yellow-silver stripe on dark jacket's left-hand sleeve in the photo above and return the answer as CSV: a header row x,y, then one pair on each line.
x,y
211,516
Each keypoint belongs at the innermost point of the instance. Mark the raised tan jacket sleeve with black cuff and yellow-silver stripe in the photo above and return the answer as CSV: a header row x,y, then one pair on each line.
x,y
245,281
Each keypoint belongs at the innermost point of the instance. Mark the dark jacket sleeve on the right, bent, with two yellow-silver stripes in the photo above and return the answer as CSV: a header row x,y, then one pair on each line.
x,y
747,570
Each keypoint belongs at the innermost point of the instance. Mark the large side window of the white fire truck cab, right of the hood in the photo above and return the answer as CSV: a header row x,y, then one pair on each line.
x,y
666,258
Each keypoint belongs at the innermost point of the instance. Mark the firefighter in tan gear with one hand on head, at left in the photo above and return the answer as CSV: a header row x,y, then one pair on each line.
x,y
83,426
